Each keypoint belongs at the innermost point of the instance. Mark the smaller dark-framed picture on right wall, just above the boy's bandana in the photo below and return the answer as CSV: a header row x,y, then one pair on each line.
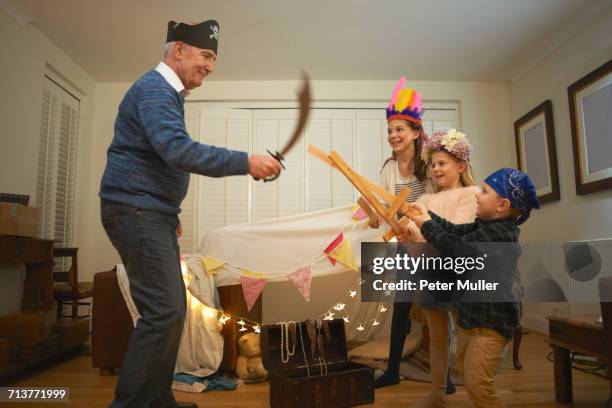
x,y
536,153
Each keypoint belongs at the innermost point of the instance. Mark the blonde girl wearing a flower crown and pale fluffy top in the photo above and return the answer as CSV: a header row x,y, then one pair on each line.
x,y
448,155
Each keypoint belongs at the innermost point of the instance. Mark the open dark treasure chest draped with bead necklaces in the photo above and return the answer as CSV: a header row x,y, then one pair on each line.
x,y
308,366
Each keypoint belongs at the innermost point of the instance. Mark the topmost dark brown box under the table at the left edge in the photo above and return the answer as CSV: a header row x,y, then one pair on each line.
x,y
28,326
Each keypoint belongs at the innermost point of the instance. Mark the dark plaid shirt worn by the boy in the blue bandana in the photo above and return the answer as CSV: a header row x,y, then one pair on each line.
x,y
456,240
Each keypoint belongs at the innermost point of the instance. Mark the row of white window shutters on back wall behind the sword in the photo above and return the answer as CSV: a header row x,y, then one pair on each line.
x,y
307,184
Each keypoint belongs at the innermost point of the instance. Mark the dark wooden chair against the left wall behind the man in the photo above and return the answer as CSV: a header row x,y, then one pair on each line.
x,y
67,290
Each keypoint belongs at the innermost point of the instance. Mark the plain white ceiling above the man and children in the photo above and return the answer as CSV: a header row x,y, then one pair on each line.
x,y
117,40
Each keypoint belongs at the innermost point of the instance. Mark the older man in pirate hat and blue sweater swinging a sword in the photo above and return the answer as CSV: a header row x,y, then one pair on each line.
x,y
145,180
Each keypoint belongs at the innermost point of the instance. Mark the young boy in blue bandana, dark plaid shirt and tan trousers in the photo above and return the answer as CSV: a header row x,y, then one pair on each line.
x,y
505,202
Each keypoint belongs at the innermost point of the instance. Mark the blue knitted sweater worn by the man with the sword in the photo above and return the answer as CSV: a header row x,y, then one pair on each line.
x,y
151,155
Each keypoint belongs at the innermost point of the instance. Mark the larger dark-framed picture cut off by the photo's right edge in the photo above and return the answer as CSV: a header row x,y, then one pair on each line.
x,y
590,103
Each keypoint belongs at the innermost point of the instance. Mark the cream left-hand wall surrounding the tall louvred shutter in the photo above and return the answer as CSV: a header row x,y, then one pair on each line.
x,y
25,55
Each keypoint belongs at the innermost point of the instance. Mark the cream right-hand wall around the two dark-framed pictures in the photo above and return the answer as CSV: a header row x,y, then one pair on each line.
x,y
574,217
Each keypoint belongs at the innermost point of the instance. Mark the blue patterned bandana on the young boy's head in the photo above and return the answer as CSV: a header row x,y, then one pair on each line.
x,y
517,187
